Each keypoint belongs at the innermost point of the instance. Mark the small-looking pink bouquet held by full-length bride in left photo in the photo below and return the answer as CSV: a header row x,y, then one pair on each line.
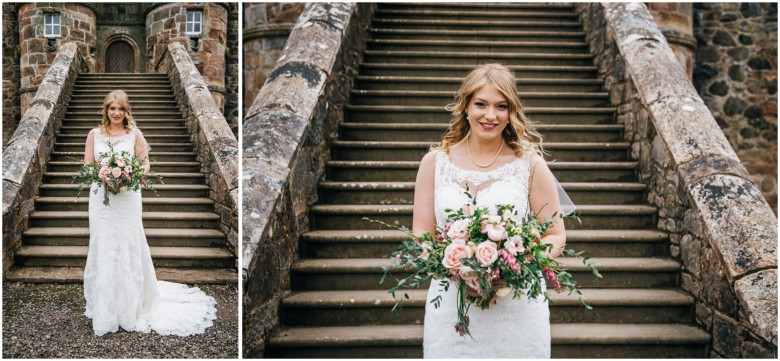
x,y
114,171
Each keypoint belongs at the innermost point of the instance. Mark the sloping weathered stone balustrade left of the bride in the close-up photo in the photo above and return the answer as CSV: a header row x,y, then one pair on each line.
x,y
286,136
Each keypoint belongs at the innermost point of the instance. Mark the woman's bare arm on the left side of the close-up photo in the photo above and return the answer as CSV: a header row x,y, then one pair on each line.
x,y
423,217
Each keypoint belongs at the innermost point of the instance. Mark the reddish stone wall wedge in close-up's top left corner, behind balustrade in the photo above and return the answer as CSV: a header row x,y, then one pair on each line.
x,y
266,28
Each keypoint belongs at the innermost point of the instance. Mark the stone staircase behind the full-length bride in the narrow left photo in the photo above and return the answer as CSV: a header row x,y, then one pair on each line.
x,y
181,228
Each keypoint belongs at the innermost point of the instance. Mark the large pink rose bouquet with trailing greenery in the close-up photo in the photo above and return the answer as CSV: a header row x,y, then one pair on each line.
x,y
485,256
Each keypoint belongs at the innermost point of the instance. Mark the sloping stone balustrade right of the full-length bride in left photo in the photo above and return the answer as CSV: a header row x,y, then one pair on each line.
x,y
216,146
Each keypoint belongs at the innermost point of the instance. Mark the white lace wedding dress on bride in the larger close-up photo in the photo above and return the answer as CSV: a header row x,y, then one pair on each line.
x,y
511,328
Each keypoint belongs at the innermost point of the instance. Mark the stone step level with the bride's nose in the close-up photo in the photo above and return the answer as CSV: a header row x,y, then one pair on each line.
x,y
437,114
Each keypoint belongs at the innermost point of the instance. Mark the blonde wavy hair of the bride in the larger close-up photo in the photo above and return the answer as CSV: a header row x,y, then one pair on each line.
x,y
503,80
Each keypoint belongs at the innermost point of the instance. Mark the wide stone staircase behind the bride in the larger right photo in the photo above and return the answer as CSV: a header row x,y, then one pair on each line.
x,y
414,60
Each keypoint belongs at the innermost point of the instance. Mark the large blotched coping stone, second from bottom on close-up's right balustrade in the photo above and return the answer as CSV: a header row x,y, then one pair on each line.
x,y
736,218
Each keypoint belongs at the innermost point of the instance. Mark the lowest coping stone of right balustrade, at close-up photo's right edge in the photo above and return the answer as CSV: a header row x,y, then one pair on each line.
x,y
758,292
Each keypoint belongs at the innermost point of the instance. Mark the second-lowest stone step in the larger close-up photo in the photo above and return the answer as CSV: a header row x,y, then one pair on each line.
x,y
372,307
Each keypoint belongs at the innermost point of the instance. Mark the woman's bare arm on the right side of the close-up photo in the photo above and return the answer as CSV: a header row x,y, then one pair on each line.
x,y
544,202
